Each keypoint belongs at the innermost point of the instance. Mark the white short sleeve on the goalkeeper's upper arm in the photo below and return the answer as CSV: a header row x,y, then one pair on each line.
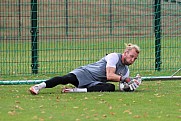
x,y
112,60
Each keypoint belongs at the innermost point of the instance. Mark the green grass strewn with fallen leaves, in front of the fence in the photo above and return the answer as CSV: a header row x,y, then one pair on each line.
x,y
153,101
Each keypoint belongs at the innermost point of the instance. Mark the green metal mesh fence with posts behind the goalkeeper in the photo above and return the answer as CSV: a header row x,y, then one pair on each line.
x,y
56,36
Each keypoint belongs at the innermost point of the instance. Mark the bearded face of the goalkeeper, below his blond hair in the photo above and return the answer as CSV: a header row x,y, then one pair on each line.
x,y
129,57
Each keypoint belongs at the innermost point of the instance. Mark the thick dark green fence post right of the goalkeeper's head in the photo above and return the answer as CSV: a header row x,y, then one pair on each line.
x,y
157,21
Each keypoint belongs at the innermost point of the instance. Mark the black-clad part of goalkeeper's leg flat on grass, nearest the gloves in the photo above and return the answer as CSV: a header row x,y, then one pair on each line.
x,y
102,87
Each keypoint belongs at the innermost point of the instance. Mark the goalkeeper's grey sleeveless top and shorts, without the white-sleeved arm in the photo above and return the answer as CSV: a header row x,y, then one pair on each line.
x,y
95,73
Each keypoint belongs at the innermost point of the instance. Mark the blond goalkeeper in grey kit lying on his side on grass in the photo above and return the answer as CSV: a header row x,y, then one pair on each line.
x,y
95,77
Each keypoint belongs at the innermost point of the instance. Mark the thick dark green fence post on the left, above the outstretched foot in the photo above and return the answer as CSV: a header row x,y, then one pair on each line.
x,y
34,31
